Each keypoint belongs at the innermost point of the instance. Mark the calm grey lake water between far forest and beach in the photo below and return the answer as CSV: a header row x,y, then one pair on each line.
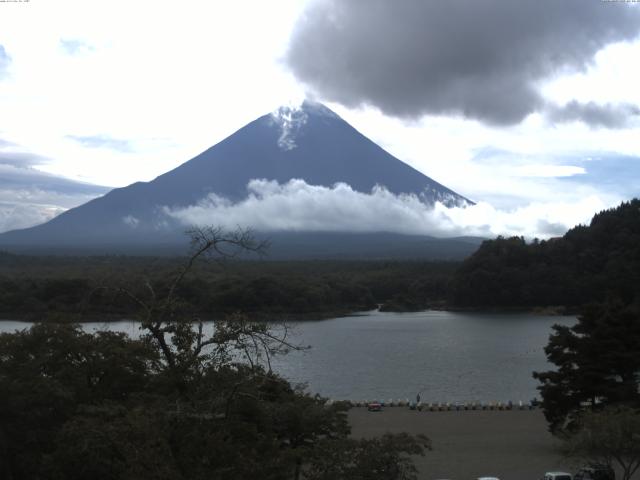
x,y
446,356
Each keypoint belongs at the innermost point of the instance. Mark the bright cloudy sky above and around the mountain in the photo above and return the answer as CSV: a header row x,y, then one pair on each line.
x,y
530,108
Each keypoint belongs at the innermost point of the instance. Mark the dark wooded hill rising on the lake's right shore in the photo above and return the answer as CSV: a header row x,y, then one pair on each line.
x,y
588,264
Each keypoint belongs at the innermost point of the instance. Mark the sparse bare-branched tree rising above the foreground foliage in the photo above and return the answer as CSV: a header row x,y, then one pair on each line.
x,y
182,341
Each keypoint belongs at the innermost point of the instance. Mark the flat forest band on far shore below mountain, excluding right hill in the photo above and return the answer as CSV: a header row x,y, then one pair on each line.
x,y
82,287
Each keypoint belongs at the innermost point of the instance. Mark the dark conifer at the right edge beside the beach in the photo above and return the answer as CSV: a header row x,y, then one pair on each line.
x,y
598,364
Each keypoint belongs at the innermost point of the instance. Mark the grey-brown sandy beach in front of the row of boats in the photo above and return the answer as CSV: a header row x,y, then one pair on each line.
x,y
511,445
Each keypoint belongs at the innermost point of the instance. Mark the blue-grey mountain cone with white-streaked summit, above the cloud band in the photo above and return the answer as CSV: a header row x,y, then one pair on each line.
x,y
310,143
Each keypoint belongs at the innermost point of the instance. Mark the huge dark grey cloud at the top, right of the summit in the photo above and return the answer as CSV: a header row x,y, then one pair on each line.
x,y
481,59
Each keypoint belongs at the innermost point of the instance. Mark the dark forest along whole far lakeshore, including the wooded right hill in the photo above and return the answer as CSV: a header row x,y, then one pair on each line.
x,y
589,263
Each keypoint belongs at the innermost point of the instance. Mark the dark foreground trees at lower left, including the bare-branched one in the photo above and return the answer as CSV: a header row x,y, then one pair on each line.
x,y
183,402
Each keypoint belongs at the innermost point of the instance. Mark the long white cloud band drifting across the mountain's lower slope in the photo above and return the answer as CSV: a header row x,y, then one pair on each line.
x,y
298,206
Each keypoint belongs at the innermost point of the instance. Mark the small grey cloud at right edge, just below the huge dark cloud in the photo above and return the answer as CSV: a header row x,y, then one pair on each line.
x,y
595,115
